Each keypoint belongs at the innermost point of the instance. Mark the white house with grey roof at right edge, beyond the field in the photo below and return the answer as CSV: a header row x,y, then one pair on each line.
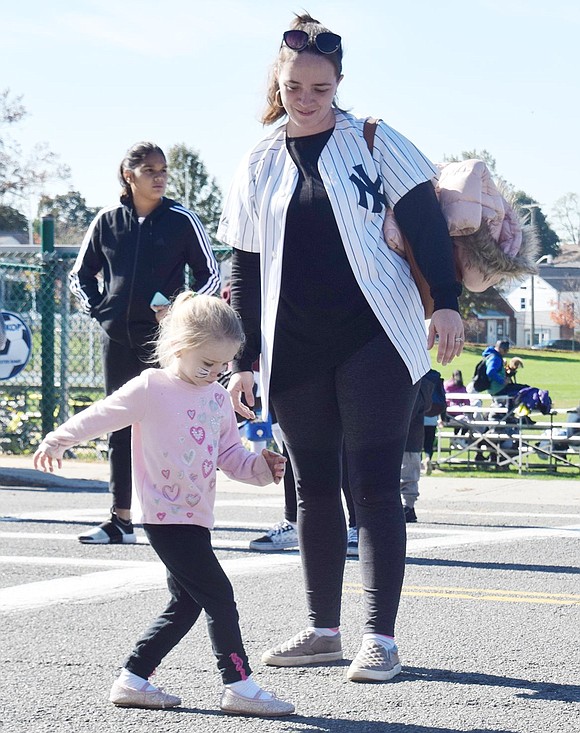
x,y
555,289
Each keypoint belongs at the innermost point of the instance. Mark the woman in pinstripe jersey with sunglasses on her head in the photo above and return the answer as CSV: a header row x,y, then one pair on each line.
x,y
338,324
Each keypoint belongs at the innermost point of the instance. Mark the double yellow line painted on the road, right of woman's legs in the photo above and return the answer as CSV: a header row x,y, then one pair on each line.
x,y
481,594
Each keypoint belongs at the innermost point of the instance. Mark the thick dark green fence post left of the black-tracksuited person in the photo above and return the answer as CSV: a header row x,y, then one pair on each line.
x,y
47,287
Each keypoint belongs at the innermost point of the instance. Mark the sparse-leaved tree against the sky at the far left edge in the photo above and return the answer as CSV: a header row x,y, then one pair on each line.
x,y
23,173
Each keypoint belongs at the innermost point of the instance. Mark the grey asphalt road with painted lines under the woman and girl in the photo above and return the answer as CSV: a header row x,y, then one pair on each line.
x,y
489,624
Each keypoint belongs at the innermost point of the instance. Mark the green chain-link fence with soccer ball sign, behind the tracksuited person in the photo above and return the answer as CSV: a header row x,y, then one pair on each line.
x,y
50,363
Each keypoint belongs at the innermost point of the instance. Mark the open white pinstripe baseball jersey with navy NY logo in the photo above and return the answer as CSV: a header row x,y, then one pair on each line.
x,y
254,220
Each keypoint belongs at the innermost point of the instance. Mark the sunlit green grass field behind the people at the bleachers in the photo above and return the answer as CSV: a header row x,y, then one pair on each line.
x,y
556,371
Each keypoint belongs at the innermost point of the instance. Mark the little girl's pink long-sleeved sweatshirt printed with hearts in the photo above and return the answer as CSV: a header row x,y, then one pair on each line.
x,y
181,434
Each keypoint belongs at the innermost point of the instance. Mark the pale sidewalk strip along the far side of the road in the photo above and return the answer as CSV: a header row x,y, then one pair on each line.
x,y
94,476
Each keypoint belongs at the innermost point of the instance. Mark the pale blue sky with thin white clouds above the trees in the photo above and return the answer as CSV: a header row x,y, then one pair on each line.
x,y
96,76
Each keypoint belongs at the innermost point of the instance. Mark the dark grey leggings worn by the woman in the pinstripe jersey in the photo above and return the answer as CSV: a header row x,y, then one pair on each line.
x,y
367,401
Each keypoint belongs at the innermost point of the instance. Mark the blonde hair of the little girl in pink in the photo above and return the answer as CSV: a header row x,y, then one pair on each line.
x,y
193,320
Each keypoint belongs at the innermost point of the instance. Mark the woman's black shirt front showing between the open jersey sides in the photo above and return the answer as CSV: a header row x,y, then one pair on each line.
x,y
323,316
